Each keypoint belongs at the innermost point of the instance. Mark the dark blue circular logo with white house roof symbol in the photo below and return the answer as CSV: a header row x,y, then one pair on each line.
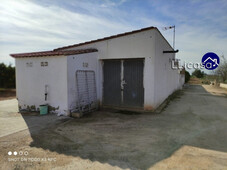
x,y
210,61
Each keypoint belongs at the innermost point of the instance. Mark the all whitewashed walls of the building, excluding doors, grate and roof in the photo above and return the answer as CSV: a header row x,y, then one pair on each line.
x,y
159,78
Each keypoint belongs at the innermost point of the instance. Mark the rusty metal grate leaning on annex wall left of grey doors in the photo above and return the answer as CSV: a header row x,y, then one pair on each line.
x,y
86,90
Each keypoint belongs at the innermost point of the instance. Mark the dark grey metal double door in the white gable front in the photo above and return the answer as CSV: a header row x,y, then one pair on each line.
x,y
123,83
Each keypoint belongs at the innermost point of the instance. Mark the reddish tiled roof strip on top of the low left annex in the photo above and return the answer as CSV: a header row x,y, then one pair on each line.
x,y
53,53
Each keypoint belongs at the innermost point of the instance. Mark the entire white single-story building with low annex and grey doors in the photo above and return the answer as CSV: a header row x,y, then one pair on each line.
x,y
128,71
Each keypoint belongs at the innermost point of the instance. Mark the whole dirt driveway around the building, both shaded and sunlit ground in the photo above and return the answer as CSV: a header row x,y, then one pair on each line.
x,y
190,133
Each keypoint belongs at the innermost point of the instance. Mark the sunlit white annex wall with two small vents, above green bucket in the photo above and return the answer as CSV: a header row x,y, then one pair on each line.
x,y
31,81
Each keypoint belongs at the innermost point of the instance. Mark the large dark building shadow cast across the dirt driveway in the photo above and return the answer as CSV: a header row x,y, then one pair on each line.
x,y
137,141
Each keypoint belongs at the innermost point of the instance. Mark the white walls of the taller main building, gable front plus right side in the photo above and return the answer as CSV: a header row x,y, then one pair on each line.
x,y
160,80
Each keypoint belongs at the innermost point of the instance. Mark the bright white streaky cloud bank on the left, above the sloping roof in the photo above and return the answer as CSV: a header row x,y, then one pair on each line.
x,y
26,26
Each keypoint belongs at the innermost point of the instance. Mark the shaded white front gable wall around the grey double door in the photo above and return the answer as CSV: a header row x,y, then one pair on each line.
x,y
139,45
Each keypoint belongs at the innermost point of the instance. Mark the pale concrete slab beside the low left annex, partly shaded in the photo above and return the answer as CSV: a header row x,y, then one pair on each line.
x,y
11,121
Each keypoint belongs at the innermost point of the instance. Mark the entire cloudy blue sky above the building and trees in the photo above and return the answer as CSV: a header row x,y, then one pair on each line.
x,y
30,25
